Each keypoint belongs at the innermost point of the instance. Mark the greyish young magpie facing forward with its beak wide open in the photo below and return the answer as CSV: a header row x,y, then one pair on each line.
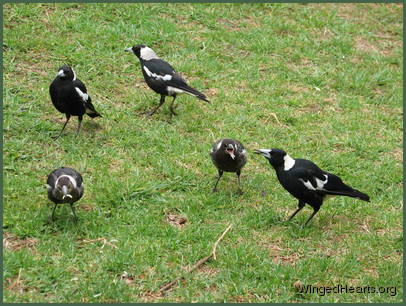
x,y
228,155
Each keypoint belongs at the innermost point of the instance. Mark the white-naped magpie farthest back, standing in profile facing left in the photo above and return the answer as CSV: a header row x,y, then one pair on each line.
x,y
162,78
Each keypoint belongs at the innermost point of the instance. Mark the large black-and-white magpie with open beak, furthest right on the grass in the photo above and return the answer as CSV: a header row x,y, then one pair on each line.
x,y
306,181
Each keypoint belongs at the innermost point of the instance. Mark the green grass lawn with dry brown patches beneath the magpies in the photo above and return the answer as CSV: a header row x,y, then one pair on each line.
x,y
323,82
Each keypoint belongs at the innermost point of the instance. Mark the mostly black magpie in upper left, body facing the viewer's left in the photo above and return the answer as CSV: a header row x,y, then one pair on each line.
x,y
69,96
